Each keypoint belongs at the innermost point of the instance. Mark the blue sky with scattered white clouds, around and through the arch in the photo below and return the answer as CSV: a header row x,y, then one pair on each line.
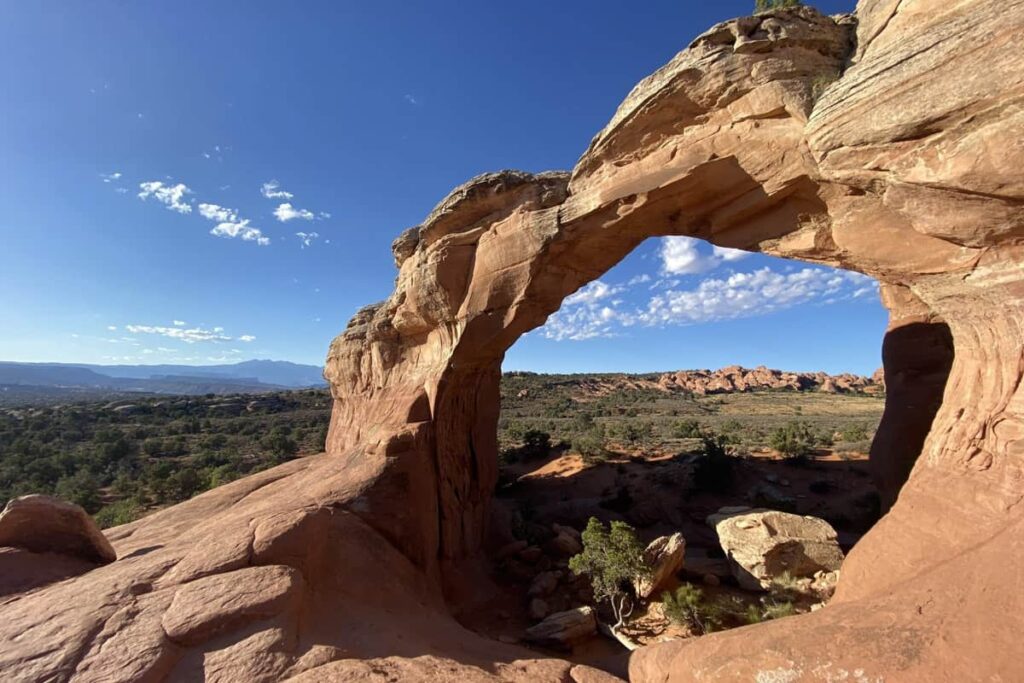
x,y
139,140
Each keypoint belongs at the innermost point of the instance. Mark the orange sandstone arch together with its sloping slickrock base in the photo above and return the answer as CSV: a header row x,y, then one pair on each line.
x,y
889,146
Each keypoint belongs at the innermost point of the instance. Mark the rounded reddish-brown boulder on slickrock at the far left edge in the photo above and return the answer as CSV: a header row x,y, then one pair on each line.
x,y
48,525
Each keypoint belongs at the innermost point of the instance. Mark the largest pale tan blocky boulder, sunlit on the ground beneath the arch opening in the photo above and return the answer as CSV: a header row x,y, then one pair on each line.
x,y
762,545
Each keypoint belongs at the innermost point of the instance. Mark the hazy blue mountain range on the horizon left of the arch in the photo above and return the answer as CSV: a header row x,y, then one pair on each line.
x,y
247,377
